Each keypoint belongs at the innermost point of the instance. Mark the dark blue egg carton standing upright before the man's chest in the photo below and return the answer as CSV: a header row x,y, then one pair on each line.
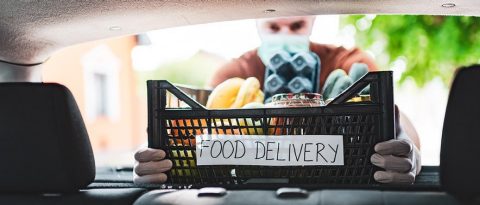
x,y
291,73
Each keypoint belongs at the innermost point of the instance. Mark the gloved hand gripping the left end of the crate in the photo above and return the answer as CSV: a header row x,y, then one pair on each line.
x,y
150,165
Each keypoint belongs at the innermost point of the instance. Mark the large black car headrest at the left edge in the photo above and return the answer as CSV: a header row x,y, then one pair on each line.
x,y
44,145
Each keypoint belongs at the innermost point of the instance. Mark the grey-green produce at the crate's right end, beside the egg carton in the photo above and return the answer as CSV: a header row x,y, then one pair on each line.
x,y
338,80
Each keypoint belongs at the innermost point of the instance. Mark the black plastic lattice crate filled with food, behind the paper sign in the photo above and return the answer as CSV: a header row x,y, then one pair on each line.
x,y
362,124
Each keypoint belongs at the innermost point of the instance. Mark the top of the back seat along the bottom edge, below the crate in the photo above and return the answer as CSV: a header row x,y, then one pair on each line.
x,y
330,197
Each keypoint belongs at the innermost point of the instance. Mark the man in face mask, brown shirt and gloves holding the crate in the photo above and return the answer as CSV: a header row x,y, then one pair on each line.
x,y
400,157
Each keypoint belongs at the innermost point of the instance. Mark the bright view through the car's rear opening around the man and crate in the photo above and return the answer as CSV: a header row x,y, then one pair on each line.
x,y
107,77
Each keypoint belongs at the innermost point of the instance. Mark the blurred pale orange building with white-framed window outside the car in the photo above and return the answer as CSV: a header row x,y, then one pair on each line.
x,y
103,81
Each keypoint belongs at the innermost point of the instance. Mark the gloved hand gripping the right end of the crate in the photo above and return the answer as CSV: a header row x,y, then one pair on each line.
x,y
399,157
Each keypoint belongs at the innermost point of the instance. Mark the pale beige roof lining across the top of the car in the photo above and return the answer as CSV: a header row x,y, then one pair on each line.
x,y
30,31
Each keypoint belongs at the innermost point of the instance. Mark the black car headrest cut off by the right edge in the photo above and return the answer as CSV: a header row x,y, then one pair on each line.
x,y
459,167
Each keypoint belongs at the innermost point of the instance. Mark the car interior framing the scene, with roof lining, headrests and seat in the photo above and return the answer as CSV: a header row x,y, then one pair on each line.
x,y
47,154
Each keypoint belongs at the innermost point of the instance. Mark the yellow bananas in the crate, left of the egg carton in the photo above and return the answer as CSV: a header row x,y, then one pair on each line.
x,y
235,93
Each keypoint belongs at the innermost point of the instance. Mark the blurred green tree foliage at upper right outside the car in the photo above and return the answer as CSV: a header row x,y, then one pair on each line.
x,y
432,46
